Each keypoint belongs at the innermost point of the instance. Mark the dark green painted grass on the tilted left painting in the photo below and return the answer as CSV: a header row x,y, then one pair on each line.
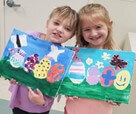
x,y
28,79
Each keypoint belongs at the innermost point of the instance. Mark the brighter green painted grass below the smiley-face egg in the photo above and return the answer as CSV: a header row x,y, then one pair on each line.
x,y
94,91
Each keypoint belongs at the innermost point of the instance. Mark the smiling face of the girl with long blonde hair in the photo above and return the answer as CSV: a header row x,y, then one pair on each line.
x,y
94,33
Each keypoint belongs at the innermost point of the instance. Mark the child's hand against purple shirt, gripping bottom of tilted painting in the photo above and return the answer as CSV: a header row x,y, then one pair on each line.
x,y
36,97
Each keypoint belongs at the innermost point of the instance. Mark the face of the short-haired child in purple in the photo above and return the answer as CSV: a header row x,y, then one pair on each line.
x,y
58,31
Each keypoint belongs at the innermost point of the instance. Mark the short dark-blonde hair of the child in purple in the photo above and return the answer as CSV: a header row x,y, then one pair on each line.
x,y
66,13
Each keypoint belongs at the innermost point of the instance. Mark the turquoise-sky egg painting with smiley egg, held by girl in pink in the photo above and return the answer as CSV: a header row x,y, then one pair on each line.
x,y
99,74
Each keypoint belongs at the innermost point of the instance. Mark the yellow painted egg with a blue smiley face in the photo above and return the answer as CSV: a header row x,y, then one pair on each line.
x,y
122,80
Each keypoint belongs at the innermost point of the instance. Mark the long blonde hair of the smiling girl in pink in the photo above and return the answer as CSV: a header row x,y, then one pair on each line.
x,y
93,13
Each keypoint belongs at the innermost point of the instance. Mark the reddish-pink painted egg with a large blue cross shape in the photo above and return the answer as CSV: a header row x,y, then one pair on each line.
x,y
108,76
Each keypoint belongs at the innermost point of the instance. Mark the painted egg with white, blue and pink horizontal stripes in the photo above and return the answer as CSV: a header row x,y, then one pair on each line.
x,y
77,72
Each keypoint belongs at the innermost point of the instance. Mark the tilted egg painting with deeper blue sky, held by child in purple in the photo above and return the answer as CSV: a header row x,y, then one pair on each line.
x,y
35,62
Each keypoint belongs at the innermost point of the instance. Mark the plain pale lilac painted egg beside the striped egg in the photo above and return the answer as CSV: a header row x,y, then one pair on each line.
x,y
93,75
